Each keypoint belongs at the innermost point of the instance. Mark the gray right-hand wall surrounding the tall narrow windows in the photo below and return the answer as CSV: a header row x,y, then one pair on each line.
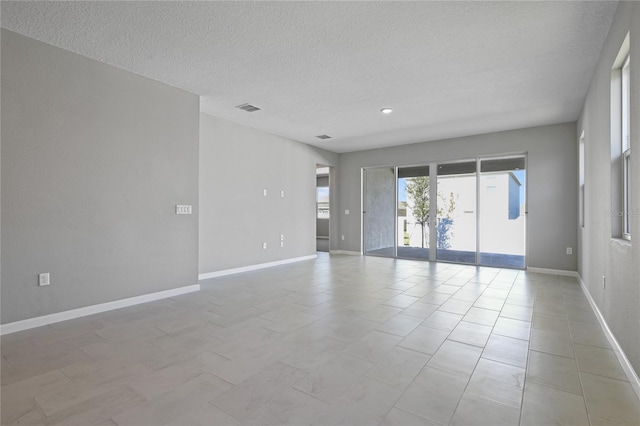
x,y
600,254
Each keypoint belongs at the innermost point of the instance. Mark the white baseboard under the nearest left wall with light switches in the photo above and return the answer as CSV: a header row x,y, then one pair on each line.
x,y
26,324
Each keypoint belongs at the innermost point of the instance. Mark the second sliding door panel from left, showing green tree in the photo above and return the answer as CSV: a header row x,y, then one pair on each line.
x,y
414,213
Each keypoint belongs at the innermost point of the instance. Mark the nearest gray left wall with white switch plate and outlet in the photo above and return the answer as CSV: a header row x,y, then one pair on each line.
x,y
94,161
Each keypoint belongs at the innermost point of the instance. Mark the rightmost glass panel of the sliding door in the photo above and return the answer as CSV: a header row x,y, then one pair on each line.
x,y
502,213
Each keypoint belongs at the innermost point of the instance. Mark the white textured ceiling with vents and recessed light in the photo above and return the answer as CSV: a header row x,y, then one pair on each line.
x,y
447,69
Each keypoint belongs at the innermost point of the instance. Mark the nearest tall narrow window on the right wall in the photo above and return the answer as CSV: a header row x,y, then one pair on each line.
x,y
626,148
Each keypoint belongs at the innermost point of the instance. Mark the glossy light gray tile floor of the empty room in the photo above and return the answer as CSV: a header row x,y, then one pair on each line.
x,y
339,340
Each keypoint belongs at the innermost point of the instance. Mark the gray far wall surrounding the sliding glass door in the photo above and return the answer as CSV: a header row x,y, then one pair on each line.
x,y
551,179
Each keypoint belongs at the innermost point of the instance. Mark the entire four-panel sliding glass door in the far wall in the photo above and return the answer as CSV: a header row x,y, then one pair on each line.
x,y
470,212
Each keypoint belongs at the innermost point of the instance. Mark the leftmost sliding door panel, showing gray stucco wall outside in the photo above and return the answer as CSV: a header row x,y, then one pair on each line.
x,y
379,213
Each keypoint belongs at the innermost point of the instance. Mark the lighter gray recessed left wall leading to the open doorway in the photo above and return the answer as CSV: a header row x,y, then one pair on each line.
x,y
236,164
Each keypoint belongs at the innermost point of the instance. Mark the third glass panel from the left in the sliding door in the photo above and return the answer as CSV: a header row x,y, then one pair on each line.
x,y
456,213
